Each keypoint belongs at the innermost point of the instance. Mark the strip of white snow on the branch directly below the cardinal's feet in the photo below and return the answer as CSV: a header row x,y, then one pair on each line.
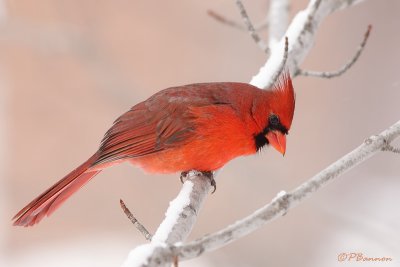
x,y
175,208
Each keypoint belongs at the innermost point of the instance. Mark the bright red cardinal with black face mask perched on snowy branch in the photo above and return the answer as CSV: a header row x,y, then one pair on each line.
x,y
191,127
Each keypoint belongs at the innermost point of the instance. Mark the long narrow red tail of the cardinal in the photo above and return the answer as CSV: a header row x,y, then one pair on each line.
x,y
52,198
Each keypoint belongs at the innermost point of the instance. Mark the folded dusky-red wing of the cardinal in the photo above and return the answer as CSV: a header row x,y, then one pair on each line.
x,y
163,121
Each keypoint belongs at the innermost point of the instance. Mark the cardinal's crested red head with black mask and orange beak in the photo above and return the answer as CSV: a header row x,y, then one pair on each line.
x,y
273,112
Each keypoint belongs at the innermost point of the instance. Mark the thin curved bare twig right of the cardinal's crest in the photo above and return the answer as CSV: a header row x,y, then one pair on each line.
x,y
346,67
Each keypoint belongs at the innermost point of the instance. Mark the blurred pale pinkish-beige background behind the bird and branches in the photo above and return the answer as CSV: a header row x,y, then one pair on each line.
x,y
68,68
